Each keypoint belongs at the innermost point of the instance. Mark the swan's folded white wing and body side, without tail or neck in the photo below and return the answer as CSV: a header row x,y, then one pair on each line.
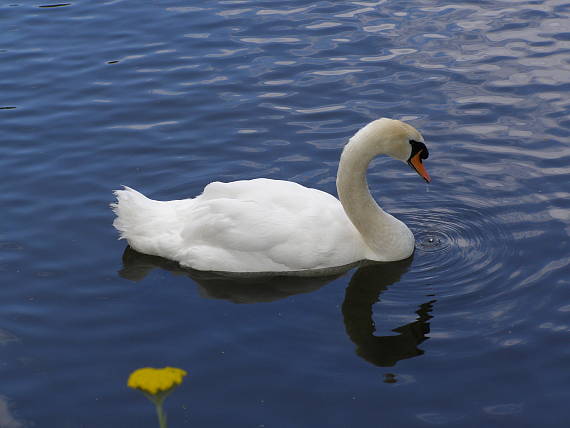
x,y
265,225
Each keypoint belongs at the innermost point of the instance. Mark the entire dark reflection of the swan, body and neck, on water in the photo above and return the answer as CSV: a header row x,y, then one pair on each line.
x,y
364,290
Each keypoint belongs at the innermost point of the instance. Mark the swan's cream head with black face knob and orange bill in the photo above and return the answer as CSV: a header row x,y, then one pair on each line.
x,y
397,139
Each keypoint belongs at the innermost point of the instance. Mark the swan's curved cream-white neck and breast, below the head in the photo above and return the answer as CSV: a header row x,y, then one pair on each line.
x,y
387,237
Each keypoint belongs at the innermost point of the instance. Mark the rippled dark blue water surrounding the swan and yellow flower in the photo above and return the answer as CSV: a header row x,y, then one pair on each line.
x,y
165,97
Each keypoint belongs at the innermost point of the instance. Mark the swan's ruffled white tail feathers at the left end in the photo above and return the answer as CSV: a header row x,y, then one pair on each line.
x,y
140,220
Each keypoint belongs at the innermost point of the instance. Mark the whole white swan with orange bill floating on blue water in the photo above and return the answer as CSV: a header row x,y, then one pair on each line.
x,y
265,225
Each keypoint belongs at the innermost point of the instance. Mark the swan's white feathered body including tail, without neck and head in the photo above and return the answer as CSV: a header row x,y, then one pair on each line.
x,y
259,225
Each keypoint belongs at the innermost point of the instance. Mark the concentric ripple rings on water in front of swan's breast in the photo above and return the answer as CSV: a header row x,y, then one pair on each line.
x,y
459,250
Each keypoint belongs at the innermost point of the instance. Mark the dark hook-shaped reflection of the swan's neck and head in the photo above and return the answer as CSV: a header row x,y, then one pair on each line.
x,y
362,293
